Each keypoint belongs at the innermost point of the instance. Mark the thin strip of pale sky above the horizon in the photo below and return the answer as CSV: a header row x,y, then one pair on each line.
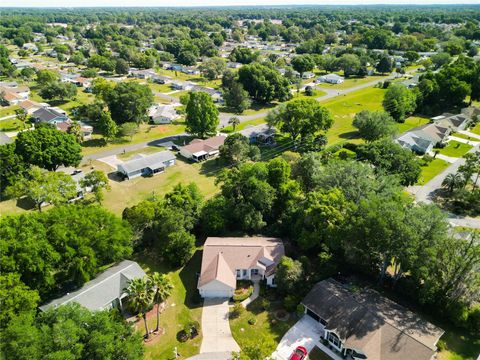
x,y
169,3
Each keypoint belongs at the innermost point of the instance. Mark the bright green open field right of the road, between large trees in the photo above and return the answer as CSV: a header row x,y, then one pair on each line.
x,y
344,108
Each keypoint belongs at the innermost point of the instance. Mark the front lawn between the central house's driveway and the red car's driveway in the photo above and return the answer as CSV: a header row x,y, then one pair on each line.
x,y
267,328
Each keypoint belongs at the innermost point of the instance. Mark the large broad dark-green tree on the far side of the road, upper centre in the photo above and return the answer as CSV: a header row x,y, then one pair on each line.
x,y
263,83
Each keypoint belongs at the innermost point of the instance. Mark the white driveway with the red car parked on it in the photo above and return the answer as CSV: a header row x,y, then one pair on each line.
x,y
305,332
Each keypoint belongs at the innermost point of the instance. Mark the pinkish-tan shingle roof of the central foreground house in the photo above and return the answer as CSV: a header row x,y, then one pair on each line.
x,y
223,256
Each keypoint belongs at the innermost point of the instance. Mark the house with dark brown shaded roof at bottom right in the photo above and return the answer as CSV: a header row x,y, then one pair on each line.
x,y
365,325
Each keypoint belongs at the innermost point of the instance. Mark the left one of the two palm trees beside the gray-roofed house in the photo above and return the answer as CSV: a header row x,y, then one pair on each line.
x,y
141,295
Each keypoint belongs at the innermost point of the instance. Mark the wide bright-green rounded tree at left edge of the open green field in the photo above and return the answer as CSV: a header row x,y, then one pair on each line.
x,y
300,118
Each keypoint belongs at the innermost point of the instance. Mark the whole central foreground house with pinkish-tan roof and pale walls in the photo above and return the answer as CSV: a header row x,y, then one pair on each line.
x,y
226,260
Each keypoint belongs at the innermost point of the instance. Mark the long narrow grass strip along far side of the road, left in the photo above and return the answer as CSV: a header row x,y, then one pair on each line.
x,y
146,133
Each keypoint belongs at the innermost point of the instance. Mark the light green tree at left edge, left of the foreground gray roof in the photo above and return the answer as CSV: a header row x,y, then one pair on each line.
x,y
15,298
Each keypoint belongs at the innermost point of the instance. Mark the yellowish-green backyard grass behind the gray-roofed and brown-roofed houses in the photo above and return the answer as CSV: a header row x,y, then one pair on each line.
x,y
130,192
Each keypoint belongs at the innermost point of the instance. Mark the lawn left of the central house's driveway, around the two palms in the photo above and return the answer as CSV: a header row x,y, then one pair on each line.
x,y
180,309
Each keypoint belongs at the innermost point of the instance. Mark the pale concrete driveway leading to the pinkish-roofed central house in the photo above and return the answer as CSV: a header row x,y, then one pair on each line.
x,y
217,337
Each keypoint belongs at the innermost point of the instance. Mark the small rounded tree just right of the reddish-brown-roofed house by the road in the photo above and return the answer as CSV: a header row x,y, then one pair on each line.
x,y
237,149
